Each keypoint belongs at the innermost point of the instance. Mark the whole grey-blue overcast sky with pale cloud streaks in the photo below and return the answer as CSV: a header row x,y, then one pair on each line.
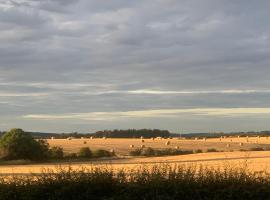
x,y
181,65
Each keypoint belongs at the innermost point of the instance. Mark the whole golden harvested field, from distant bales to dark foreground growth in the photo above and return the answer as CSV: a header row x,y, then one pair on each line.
x,y
229,153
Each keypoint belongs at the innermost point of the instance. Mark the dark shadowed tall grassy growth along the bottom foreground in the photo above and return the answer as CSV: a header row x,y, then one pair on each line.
x,y
163,182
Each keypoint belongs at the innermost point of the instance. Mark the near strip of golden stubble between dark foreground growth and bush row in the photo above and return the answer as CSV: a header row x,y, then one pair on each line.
x,y
255,161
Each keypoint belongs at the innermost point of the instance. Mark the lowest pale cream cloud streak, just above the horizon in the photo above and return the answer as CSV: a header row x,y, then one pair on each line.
x,y
112,116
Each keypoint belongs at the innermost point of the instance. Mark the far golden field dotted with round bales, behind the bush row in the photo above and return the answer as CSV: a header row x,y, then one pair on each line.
x,y
123,146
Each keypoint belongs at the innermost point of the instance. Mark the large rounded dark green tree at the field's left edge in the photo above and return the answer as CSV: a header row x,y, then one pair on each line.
x,y
17,144
